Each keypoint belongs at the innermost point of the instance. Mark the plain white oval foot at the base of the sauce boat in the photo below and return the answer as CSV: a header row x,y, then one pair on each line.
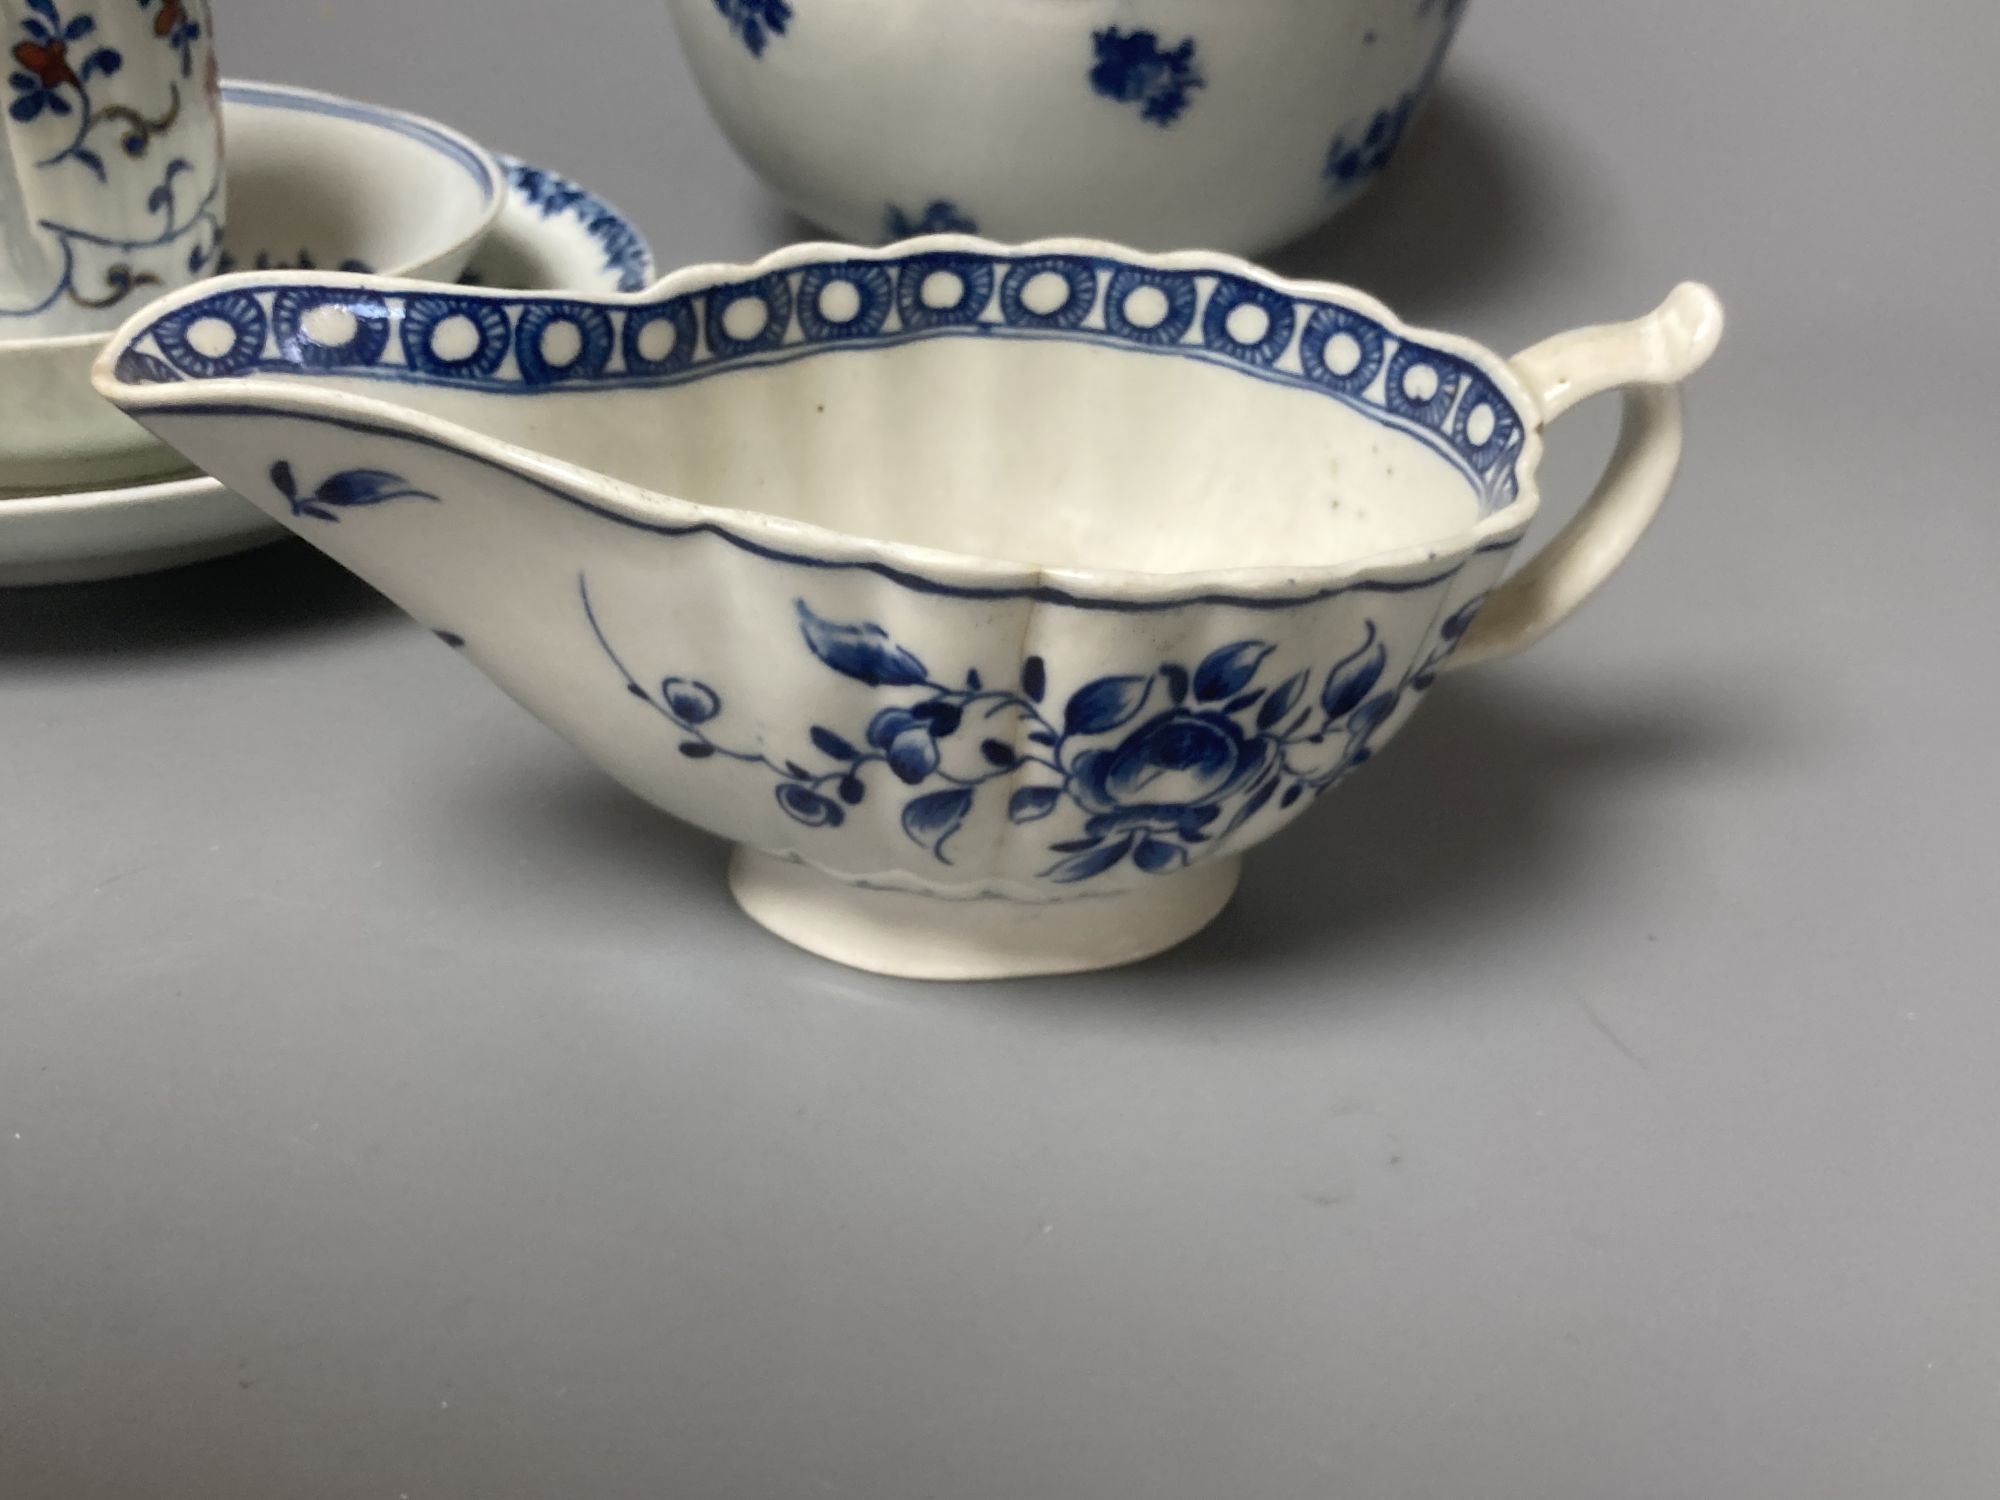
x,y
987,939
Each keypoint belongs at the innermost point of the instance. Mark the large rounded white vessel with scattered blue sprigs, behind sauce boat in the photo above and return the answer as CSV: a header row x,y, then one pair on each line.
x,y
1229,125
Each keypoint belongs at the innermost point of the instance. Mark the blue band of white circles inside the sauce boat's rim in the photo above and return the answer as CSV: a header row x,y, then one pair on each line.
x,y
895,301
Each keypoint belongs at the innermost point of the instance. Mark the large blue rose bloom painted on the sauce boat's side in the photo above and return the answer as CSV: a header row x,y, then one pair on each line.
x,y
1169,775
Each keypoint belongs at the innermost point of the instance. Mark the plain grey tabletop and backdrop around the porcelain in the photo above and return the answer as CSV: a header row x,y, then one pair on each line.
x,y
1595,1099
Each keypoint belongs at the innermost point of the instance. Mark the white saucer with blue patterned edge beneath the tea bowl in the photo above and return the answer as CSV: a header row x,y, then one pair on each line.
x,y
553,235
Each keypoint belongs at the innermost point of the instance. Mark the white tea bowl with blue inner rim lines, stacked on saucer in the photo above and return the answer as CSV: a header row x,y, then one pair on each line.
x,y
397,193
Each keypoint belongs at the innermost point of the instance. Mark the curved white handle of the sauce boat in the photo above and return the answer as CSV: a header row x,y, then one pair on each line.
x,y
1647,361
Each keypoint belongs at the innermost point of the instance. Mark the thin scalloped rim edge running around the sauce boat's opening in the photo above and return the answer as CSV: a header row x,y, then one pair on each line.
x,y
823,543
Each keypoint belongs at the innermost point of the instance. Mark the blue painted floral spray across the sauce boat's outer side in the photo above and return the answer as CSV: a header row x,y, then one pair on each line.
x,y
1145,767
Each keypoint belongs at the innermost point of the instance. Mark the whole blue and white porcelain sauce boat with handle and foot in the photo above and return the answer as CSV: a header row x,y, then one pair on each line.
x,y
991,599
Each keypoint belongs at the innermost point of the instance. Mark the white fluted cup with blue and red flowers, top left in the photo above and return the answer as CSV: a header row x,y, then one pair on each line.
x,y
111,159
